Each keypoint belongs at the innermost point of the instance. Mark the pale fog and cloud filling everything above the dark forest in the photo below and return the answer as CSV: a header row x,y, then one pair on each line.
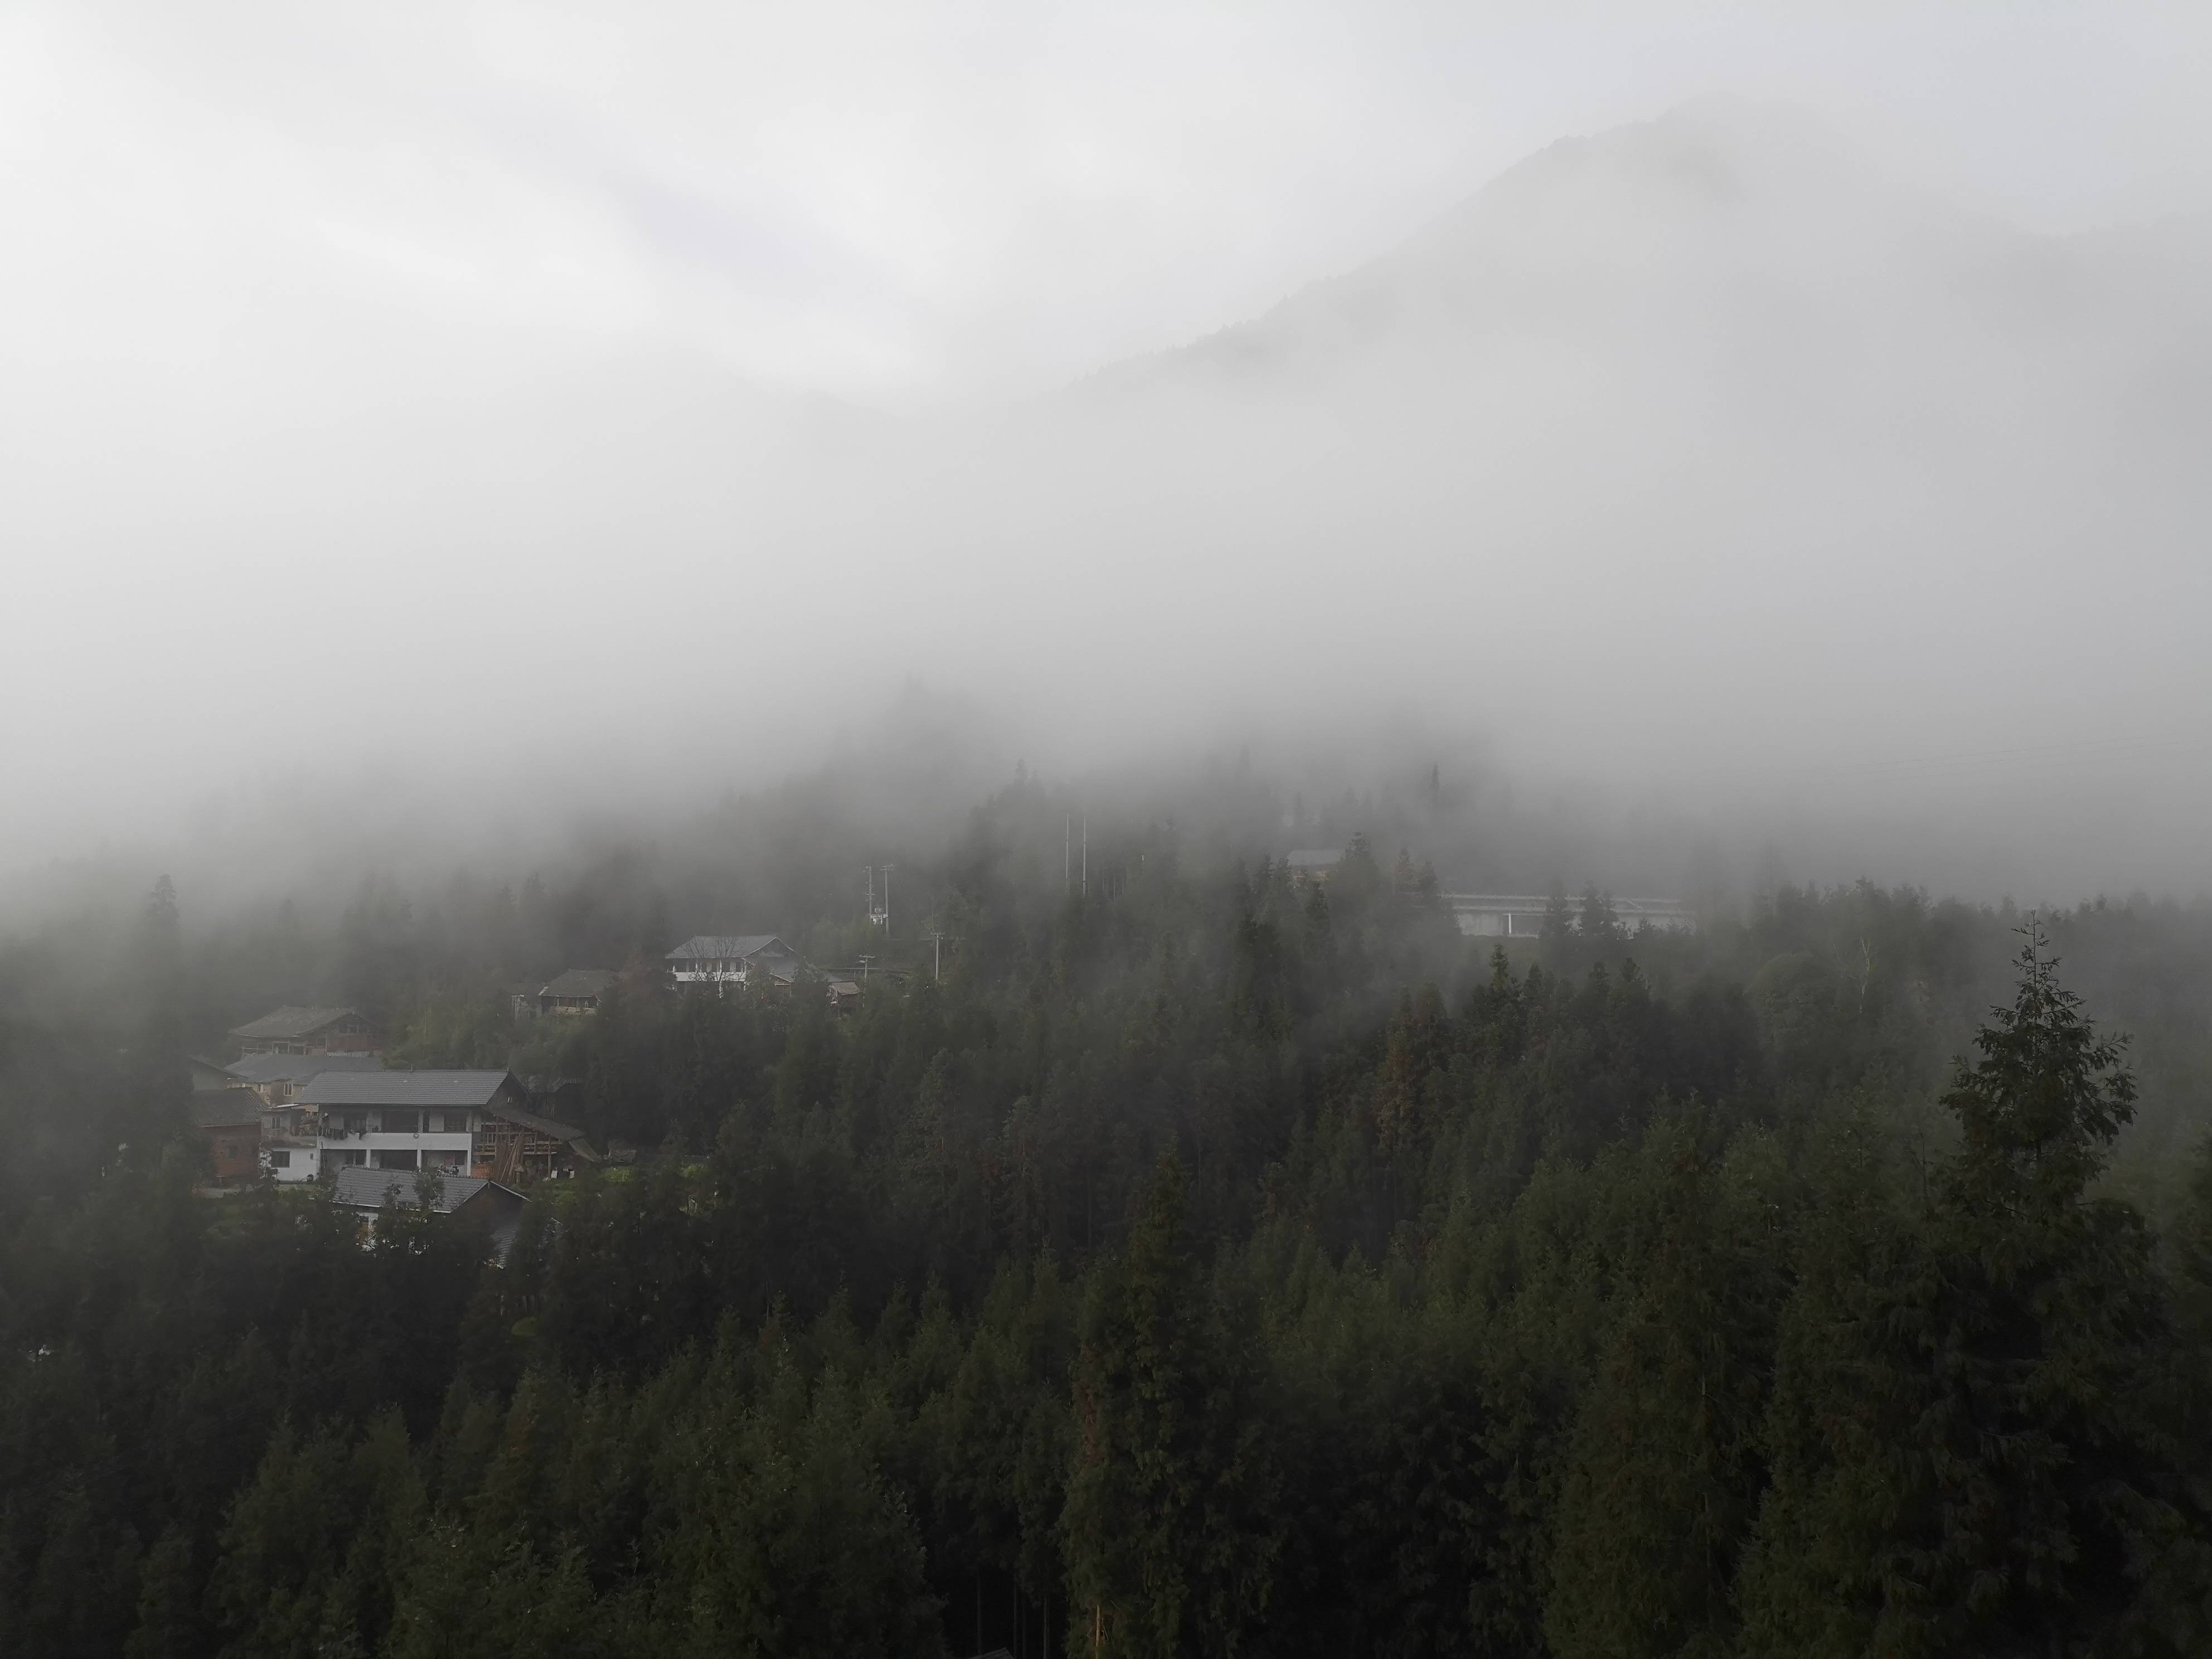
x,y
461,428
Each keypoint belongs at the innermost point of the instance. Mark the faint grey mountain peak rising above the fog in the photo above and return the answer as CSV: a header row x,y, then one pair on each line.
x,y
1722,227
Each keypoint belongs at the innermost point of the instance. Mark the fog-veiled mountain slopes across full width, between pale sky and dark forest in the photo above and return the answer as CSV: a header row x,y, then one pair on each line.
x,y
1695,461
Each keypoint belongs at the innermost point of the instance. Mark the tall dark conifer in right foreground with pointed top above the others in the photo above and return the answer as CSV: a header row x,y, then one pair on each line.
x,y
1968,1448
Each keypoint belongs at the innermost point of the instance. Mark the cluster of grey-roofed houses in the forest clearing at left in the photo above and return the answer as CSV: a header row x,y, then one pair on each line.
x,y
311,1098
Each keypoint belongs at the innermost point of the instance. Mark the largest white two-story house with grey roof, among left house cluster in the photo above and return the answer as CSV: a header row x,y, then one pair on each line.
x,y
393,1120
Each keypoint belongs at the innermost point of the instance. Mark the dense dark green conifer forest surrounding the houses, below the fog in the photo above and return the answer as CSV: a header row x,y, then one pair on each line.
x,y
1204,1266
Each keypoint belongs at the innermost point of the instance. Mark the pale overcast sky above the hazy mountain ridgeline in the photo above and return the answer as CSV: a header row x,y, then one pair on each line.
x,y
921,200
